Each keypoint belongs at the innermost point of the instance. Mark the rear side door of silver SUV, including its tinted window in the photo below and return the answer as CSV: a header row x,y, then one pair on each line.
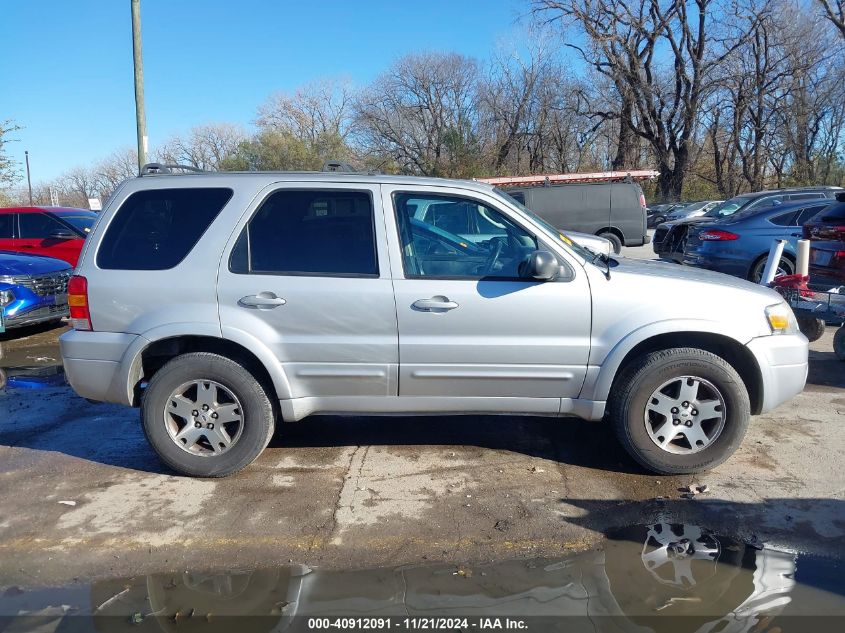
x,y
309,276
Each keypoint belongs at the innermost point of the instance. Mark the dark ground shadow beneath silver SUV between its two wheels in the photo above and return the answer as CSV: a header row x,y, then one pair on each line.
x,y
566,440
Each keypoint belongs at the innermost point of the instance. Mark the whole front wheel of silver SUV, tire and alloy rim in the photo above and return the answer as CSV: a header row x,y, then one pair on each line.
x,y
680,410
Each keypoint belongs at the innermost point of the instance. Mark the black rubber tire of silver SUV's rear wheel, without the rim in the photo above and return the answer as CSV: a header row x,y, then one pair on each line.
x,y
257,413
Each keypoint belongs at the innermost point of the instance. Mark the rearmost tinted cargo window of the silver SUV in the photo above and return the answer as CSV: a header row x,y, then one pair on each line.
x,y
157,228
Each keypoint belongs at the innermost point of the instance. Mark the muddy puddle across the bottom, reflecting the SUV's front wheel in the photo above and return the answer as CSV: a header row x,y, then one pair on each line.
x,y
660,577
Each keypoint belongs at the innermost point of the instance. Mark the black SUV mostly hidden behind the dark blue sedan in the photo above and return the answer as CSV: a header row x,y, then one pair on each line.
x,y
670,238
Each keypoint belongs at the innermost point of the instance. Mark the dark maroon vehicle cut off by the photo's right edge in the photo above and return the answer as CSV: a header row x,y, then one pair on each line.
x,y
827,248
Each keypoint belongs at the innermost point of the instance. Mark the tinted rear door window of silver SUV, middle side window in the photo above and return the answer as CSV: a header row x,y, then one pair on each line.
x,y
309,232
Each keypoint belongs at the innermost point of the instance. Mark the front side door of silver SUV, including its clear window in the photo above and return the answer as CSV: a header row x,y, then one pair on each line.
x,y
469,325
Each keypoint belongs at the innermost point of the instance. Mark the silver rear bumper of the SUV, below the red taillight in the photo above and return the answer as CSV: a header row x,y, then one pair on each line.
x,y
93,364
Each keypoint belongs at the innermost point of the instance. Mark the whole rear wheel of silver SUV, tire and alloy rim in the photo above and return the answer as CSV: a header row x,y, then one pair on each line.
x,y
206,415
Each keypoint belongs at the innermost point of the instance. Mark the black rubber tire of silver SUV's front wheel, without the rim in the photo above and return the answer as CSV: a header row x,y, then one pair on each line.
x,y
633,388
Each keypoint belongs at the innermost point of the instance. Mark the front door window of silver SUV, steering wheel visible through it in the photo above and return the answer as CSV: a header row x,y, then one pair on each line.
x,y
455,237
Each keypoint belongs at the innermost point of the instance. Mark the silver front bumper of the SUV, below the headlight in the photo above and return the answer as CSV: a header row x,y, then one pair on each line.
x,y
782,359
